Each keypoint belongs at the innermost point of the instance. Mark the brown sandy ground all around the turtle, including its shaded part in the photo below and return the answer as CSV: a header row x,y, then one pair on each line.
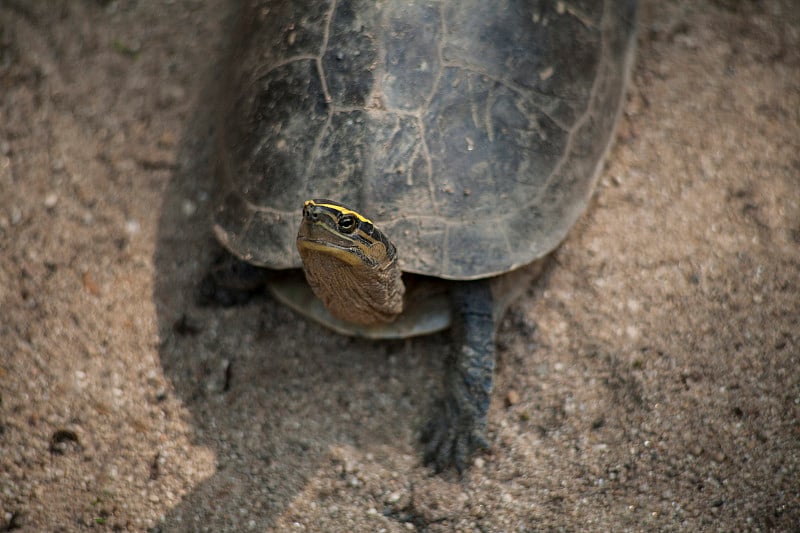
x,y
649,381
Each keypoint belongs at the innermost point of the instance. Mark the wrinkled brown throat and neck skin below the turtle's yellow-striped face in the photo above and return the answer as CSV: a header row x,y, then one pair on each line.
x,y
357,284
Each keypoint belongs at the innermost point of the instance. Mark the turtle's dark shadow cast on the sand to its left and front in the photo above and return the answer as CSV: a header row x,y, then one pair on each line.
x,y
268,392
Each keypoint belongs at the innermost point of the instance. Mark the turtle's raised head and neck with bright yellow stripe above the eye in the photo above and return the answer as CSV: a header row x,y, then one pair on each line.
x,y
349,263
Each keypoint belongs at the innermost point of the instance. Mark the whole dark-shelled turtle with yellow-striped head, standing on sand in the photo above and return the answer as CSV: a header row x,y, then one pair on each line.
x,y
392,168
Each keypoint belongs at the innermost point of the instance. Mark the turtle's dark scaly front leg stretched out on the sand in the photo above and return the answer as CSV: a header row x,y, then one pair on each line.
x,y
458,427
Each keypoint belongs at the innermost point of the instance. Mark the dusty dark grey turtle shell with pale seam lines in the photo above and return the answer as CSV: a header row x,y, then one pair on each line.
x,y
469,131
